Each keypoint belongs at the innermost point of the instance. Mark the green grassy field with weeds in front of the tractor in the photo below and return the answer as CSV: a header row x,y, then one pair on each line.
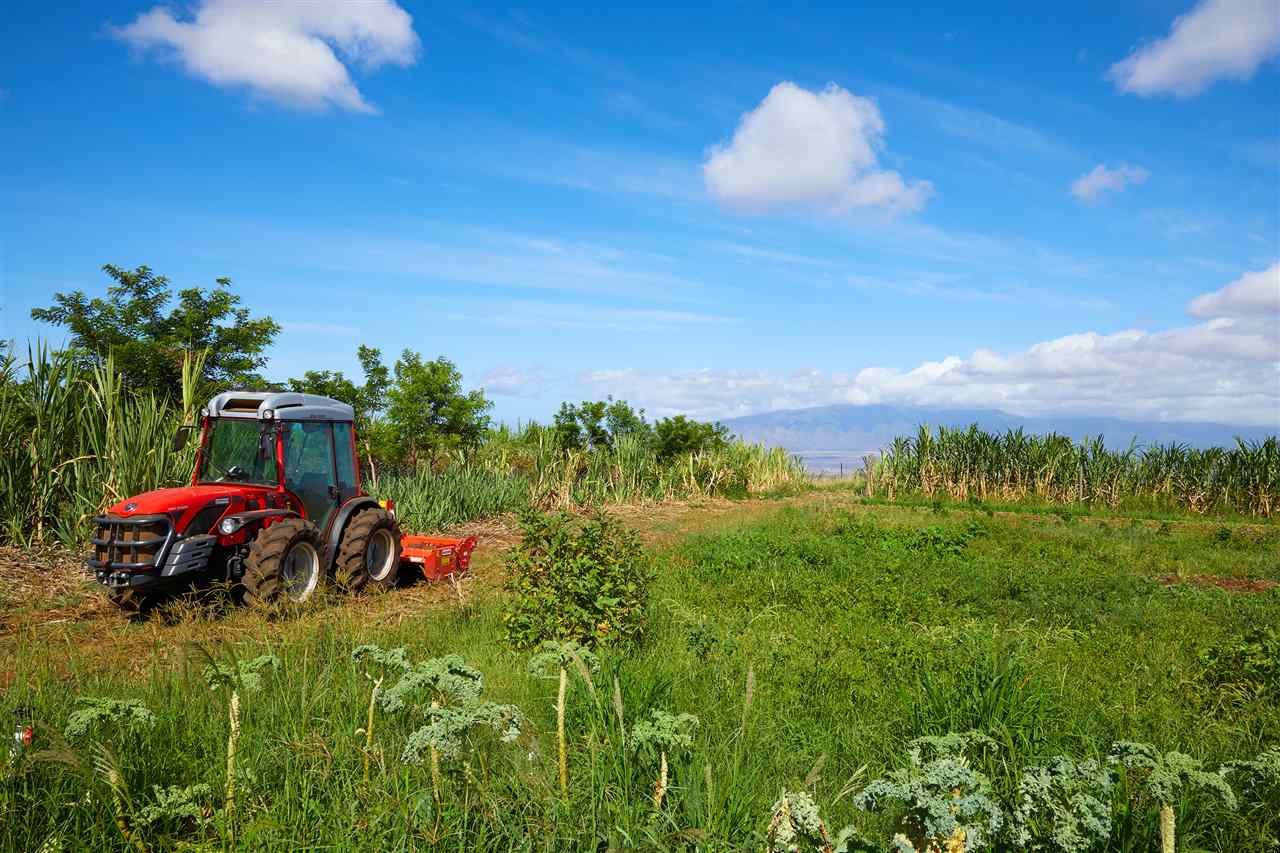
x,y
812,640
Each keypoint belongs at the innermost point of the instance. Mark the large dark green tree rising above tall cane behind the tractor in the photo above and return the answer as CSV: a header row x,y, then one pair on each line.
x,y
148,339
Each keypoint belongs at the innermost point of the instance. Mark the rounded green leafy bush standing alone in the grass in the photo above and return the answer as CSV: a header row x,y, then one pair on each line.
x,y
588,585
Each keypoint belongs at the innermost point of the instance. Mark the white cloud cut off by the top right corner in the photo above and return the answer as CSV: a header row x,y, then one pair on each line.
x,y
1217,40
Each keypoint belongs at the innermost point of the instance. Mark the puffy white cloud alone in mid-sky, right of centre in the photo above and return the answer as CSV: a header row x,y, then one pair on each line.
x,y
810,149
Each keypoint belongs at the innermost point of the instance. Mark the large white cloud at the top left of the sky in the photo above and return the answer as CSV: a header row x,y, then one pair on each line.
x,y
285,51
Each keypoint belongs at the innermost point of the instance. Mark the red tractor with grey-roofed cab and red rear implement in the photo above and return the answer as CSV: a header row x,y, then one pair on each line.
x,y
275,508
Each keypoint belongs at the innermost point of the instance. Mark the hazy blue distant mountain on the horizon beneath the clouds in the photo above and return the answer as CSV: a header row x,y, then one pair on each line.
x,y
852,431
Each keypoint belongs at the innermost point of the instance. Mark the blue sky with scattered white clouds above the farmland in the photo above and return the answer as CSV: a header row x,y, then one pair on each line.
x,y
712,211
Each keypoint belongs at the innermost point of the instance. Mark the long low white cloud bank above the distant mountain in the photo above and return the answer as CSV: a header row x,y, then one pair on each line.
x,y
1226,368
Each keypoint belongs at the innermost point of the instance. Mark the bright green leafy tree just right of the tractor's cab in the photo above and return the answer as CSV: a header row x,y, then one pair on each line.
x,y
428,412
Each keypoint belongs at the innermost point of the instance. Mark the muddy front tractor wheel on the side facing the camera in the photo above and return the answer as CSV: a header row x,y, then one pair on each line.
x,y
285,564
